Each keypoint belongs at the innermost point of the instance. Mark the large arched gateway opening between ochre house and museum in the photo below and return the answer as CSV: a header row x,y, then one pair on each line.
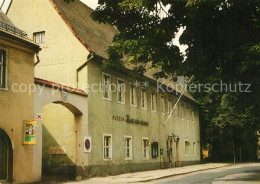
x,y
59,129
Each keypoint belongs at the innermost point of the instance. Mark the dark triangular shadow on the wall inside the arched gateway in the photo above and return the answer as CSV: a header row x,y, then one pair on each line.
x,y
55,161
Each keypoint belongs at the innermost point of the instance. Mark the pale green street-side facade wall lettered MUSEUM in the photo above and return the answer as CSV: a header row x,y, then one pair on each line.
x,y
102,121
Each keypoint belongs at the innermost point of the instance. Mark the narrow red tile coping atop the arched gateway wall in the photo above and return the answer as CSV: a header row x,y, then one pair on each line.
x,y
59,86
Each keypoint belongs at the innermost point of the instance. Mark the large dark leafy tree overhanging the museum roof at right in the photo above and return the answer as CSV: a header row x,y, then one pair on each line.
x,y
223,38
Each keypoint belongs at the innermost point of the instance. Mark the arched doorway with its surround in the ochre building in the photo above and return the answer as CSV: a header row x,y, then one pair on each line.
x,y
6,157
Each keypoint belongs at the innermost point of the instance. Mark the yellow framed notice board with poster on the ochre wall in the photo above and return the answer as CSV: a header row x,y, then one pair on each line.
x,y
30,132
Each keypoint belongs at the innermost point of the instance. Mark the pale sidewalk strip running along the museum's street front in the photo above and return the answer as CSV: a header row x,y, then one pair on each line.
x,y
150,175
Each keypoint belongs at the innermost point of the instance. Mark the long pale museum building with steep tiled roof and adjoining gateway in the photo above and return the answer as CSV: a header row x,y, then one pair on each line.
x,y
89,128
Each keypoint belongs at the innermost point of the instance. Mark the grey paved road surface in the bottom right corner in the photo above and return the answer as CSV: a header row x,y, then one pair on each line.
x,y
240,174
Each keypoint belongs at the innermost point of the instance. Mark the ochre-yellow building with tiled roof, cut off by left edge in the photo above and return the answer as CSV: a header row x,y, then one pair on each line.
x,y
18,160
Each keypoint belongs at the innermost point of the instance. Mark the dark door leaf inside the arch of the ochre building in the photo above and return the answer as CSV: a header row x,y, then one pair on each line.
x,y
3,157
